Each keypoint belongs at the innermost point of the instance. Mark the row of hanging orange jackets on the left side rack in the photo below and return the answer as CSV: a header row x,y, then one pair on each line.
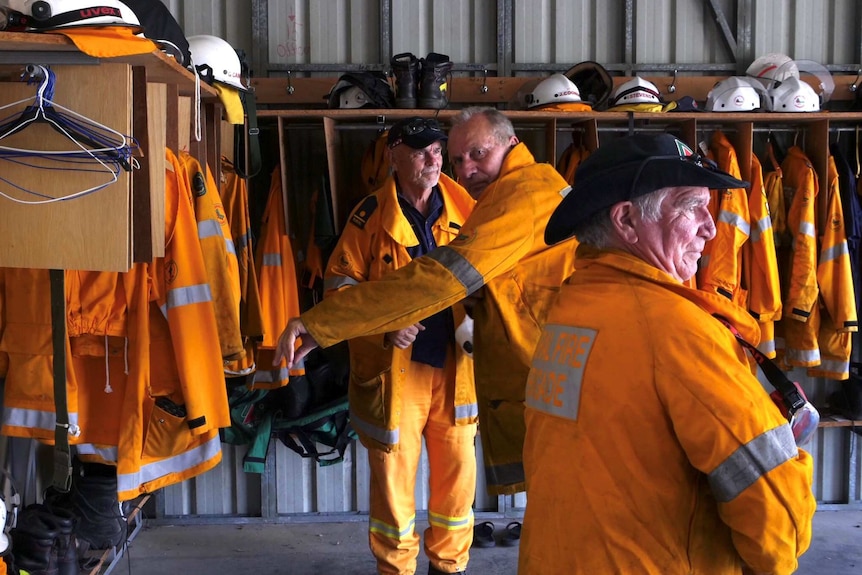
x,y
149,350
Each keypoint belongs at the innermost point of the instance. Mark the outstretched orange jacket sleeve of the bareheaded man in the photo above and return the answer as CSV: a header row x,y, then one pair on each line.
x,y
494,238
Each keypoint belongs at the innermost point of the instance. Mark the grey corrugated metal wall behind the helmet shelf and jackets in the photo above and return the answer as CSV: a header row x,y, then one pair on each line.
x,y
521,37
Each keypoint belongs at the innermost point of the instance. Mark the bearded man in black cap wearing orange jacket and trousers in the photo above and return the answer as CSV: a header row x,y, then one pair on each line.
x,y
415,382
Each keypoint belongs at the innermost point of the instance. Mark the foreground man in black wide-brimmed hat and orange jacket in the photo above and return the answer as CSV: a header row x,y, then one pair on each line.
x,y
651,447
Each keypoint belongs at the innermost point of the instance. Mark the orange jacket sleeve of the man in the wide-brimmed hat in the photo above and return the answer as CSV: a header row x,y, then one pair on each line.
x,y
733,433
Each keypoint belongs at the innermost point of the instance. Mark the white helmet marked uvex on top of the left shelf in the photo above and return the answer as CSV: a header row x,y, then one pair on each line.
x,y
51,14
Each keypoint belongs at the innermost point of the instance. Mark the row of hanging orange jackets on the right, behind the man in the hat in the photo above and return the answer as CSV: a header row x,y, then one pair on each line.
x,y
783,253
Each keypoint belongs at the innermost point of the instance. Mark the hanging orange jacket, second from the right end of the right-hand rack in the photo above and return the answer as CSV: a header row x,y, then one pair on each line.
x,y
796,334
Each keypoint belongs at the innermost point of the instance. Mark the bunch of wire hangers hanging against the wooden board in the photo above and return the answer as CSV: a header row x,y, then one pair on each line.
x,y
97,148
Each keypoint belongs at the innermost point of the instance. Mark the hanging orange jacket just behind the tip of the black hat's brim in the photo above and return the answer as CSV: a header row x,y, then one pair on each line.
x,y
720,268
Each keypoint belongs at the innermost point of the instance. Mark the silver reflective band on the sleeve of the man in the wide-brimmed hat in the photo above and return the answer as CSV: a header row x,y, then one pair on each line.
x,y
751,461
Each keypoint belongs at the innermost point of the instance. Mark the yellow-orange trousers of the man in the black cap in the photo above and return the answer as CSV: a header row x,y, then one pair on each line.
x,y
427,409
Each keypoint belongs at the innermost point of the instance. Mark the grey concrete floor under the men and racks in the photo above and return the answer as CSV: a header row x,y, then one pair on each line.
x,y
341,548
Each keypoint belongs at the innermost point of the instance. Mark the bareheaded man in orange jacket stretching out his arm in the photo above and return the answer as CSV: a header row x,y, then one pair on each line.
x,y
501,247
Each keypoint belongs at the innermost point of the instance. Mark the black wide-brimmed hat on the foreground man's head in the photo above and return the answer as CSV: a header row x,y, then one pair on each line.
x,y
629,167
